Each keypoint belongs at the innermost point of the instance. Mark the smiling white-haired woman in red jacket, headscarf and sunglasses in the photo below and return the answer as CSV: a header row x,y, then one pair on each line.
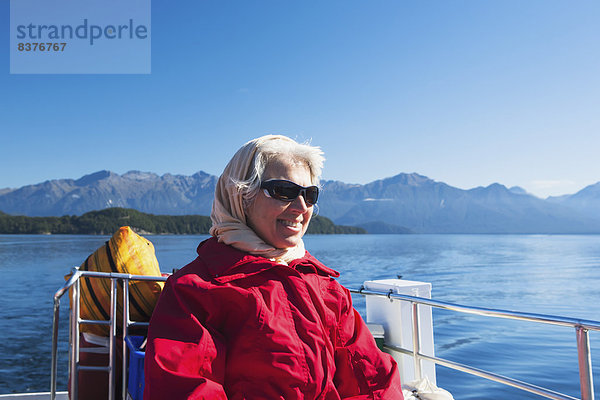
x,y
255,316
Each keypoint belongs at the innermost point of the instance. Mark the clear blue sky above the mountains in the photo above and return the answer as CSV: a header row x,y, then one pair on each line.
x,y
464,92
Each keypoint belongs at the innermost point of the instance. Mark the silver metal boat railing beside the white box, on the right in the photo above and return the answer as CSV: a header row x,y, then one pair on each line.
x,y
581,326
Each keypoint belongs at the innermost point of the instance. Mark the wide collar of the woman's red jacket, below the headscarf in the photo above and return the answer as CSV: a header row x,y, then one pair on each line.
x,y
226,263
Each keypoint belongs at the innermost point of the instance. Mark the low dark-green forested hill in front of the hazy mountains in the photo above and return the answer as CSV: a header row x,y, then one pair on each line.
x,y
108,221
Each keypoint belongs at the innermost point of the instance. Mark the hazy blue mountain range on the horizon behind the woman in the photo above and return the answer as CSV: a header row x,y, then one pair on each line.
x,y
399,204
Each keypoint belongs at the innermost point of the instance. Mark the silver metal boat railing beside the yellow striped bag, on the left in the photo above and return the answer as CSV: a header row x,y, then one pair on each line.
x,y
74,283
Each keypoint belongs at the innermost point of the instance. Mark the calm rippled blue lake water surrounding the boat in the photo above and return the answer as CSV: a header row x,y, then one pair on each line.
x,y
550,274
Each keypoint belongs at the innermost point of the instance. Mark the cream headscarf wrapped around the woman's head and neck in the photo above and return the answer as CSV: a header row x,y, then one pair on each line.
x,y
228,216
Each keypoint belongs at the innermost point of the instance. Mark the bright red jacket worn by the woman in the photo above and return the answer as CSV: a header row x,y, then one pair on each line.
x,y
231,325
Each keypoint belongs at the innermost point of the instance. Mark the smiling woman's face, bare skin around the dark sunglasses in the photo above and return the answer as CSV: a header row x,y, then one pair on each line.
x,y
279,223
